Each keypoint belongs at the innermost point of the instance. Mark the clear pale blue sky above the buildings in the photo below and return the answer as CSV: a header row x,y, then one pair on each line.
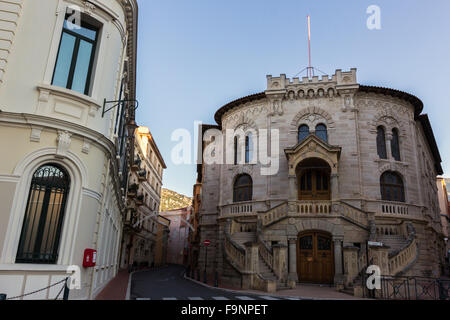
x,y
196,56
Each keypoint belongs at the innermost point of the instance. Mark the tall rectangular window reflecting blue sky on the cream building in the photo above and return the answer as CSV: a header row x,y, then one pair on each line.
x,y
75,59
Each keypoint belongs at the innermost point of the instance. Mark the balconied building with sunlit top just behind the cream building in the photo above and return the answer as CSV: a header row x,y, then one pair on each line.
x,y
143,200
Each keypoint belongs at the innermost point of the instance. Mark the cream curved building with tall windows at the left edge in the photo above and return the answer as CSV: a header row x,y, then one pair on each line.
x,y
63,178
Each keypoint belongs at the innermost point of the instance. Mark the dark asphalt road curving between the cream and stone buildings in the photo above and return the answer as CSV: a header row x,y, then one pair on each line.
x,y
168,283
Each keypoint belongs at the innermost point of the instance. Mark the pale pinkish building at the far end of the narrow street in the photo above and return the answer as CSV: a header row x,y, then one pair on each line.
x,y
177,250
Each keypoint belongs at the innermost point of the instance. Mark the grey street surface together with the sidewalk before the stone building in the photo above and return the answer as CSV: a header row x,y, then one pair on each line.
x,y
170,283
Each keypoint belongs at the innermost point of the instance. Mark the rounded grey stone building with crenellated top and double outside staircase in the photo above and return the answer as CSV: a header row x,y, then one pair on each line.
x,y
314,169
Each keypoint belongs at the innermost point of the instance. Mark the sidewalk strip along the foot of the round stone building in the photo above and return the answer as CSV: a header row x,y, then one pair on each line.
x,y
306,291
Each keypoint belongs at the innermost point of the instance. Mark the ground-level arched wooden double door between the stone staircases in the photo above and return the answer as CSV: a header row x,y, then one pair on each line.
x,y
315,258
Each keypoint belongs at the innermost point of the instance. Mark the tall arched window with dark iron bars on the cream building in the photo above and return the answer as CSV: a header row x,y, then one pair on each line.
x,y
41,230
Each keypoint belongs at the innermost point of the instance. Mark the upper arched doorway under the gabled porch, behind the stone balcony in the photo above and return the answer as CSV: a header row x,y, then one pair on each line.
x,y
313,179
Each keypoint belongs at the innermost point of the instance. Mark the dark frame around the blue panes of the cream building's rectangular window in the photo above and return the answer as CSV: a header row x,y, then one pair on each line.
x,y
73,64
